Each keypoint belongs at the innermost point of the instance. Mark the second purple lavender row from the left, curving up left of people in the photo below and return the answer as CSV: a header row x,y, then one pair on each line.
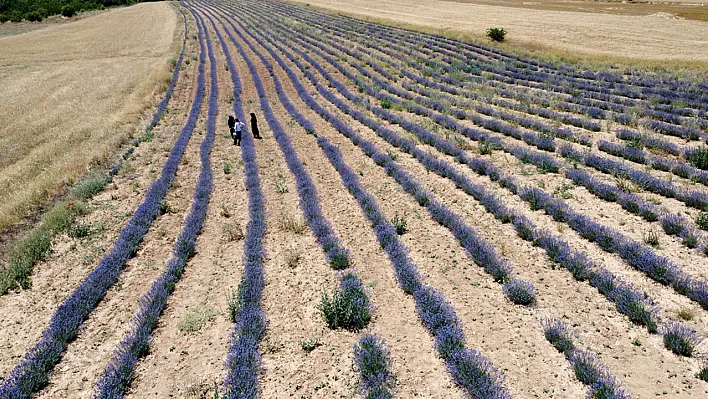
x,y
117,376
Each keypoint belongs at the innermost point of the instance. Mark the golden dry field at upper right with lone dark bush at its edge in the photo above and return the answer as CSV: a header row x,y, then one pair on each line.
x,y
634,40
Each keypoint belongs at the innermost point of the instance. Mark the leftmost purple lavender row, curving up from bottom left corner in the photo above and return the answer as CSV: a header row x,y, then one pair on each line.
x,y
32,373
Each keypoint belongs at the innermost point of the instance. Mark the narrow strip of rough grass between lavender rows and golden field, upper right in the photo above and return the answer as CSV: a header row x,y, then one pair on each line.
x,y
535,50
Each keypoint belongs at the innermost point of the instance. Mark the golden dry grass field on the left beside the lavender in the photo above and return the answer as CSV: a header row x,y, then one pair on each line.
x,y
68,93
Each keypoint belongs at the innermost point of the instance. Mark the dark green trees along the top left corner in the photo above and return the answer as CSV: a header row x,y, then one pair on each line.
x,y
37,10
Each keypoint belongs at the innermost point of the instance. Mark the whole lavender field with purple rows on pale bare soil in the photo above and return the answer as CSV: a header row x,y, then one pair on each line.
x,y
415,217
